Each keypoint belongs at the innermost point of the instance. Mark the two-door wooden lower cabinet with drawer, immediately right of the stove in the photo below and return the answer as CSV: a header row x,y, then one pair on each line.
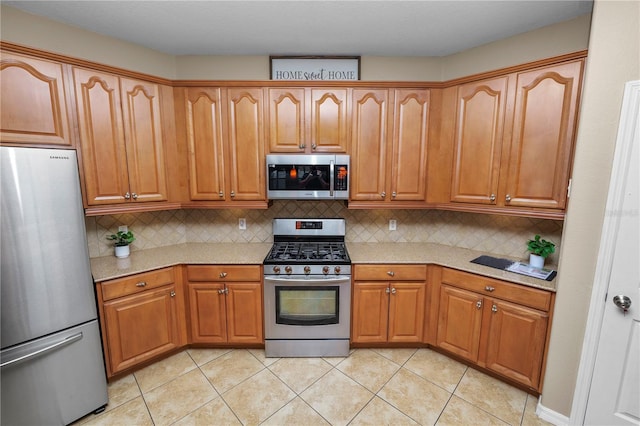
x,y
391,309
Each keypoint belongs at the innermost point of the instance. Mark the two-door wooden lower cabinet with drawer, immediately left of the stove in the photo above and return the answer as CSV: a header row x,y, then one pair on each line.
x,y
225,304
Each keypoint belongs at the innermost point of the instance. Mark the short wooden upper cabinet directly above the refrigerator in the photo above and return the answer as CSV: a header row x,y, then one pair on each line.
x,y
34,107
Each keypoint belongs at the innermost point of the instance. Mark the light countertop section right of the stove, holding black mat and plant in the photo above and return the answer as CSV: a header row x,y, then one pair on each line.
x,y
451,257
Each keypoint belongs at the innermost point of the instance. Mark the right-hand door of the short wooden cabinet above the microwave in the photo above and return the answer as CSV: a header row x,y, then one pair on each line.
x,y
329,126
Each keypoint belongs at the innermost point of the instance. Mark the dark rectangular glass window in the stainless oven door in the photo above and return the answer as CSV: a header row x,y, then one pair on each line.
x,y
307,305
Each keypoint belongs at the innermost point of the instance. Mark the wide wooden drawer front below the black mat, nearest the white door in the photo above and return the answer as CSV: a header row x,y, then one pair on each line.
x,y
523,295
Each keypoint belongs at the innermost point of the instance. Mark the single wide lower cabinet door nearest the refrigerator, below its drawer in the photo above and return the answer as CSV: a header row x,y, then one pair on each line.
x,y
140,327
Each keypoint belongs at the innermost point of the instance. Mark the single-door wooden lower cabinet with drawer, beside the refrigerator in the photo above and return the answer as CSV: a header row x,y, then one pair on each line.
x,y
142,318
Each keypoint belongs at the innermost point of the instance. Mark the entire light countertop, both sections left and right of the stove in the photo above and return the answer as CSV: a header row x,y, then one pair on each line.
x,y
109,267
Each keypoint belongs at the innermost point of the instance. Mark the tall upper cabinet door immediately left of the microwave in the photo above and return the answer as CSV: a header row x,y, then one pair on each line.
x,y
246,144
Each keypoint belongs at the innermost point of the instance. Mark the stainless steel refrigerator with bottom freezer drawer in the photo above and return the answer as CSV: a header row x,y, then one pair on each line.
x,y
52,368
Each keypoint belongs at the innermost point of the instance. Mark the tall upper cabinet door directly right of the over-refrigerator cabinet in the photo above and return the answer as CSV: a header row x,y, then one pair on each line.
x,y
104,157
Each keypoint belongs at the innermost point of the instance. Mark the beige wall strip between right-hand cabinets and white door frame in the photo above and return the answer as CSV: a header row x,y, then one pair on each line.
x,y
614,58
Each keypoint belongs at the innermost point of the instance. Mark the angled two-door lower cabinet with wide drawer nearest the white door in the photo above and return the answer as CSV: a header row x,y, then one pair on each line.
x,y
503,336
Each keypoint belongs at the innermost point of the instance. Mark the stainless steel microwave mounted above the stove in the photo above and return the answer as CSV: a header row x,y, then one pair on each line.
x,y
307,177
